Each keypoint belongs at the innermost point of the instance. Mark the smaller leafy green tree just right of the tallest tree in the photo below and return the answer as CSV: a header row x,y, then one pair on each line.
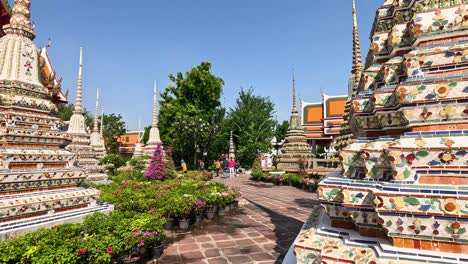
x,y
253,126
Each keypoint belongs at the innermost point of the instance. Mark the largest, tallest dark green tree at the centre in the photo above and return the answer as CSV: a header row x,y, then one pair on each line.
x,y
190,113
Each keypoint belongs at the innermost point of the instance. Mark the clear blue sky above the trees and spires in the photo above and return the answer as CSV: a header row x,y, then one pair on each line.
x,y
128,44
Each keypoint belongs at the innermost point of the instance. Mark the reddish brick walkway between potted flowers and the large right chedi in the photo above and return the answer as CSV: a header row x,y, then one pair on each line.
x,y
261,231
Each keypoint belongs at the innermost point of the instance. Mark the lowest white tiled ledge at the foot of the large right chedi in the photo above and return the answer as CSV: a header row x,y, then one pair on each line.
x,y
319,242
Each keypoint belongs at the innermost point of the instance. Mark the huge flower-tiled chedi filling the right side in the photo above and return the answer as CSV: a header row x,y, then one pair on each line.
x,y
403,193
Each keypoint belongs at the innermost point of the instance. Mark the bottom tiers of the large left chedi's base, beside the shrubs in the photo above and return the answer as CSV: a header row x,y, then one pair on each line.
x,y
26,212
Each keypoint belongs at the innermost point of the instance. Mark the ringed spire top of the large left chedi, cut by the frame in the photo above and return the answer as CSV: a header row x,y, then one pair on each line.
x,y
20,22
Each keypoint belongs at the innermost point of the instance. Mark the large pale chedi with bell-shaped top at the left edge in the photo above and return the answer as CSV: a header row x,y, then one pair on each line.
x,y
38,177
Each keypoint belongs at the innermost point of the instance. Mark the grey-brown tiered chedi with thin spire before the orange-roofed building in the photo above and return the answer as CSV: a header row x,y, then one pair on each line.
x,y
295,148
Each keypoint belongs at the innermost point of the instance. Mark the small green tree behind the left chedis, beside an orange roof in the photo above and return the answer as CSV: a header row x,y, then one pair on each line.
x,y
114,126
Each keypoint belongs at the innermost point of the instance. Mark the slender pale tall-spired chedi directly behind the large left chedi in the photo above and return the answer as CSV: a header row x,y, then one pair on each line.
x,y
81,143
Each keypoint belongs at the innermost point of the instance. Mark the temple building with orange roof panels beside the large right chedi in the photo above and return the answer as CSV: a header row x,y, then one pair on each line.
x,y
322,120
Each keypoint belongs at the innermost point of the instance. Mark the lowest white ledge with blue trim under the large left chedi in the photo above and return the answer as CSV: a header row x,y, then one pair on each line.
x,y
19,227
